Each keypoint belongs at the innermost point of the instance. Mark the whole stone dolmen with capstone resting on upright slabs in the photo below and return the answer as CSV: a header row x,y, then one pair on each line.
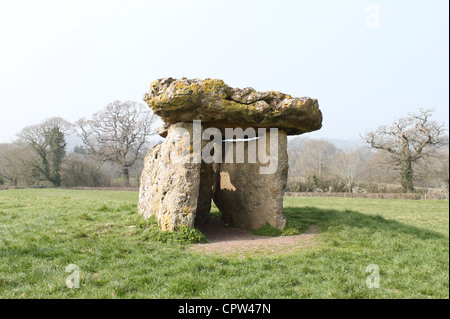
x,y
221,144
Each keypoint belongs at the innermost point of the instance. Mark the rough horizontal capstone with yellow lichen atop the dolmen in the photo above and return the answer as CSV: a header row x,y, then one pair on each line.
x,y
212,101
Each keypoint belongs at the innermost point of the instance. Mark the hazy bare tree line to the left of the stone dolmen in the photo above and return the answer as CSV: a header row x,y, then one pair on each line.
x,y
115,141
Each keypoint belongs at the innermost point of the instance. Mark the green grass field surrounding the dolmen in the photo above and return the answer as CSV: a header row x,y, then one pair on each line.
x,y
121,256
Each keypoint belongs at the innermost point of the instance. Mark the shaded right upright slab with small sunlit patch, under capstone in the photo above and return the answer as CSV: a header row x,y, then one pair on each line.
x,y
248,199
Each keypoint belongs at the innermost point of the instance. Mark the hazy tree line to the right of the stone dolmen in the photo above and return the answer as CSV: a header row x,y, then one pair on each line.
x,y
412,152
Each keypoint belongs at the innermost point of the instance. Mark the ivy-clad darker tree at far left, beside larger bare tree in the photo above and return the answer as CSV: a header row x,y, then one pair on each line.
x,y
47,140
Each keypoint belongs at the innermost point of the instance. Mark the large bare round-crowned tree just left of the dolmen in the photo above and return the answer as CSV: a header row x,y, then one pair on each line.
x,y
118,133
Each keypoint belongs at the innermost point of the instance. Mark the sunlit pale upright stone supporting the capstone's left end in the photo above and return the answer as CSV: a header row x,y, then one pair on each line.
x,y
169,187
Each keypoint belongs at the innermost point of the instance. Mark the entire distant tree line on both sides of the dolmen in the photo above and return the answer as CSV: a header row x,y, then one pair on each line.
x,y
406,156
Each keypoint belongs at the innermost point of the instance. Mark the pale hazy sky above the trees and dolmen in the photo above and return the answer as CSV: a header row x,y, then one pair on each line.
x,y
366,62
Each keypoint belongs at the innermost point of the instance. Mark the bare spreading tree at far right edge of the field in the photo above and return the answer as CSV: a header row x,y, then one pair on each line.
x,y
407,140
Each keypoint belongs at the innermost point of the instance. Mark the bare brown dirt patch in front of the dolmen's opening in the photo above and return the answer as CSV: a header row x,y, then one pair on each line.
x,y
225,240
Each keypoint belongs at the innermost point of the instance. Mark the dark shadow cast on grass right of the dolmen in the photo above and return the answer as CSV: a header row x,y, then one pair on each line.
x,y
329,219
